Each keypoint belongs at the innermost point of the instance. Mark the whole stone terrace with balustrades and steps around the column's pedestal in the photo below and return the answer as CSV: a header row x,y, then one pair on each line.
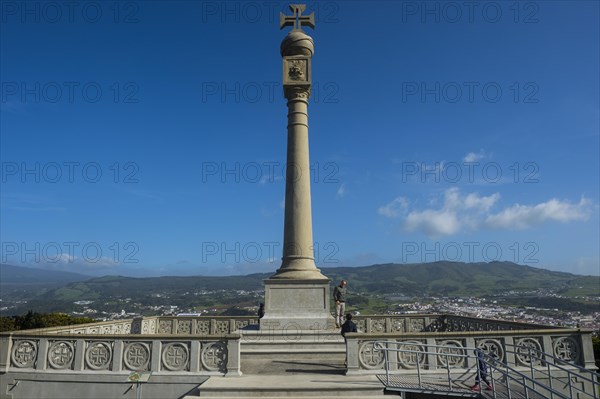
x,y
218,356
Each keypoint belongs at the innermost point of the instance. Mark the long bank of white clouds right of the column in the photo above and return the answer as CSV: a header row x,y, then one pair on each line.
x,y
473,211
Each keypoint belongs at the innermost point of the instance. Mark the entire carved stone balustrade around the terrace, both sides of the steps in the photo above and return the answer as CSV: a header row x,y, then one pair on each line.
x,y
211,345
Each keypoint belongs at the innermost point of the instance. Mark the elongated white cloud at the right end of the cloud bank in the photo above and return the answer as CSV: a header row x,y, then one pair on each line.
x,y
520,217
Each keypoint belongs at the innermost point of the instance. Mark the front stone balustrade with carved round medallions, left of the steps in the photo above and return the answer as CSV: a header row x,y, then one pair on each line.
x,y
81,353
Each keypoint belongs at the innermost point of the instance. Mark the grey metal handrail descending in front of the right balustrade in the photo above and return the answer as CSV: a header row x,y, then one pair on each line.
x,y
506,372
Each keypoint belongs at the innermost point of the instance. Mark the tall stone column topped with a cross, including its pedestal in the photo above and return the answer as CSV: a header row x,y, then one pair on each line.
x,y
297,295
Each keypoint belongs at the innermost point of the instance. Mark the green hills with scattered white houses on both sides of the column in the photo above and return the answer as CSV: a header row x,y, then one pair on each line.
x,y
412,280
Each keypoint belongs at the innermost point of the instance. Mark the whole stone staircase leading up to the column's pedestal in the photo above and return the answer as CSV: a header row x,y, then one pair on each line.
x,y
290,364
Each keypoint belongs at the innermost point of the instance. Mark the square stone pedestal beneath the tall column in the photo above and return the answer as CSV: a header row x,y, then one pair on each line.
x,y
297,304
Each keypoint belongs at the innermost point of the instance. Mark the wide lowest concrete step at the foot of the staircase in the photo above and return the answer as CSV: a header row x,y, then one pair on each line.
x,y
290,386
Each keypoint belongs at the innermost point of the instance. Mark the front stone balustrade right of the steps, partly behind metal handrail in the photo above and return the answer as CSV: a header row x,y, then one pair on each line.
x,y
509,347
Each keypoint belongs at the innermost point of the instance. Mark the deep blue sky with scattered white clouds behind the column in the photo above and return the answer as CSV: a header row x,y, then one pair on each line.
x,y
148,138
